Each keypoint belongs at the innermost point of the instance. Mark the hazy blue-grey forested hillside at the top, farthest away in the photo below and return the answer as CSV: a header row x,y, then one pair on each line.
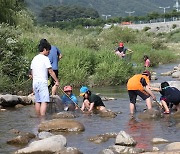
x,y
107,7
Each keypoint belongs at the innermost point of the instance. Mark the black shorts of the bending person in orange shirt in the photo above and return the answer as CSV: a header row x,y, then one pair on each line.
x,y
133,95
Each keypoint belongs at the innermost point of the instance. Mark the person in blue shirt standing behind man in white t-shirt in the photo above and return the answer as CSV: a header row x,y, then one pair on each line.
x,y
54,57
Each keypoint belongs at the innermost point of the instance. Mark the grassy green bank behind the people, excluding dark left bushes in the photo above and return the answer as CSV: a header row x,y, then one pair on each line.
x,y
88,54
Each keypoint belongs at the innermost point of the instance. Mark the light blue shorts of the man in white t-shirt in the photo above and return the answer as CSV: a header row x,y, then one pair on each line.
x,y
41,92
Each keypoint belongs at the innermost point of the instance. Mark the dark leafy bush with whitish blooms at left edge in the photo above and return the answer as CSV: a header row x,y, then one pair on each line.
x,y
13,64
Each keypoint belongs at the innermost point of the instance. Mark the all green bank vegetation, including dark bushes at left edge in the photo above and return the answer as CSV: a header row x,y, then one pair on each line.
x,y
88,53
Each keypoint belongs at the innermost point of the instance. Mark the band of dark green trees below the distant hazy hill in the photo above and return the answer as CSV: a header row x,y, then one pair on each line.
x,y
87,22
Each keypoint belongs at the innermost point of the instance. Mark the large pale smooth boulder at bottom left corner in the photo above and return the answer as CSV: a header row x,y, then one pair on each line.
x,y
49,145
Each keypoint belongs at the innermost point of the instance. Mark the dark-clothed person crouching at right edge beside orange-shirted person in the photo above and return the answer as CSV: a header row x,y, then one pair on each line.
x,y
169,96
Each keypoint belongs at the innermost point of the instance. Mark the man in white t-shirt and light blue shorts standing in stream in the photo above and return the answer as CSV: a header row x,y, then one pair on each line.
x,y
40,67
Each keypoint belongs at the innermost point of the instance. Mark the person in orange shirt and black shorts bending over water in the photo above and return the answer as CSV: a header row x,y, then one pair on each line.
x,y
139,85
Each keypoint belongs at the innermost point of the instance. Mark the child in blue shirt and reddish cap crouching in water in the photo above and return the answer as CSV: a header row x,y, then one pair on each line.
x,y
69,99
